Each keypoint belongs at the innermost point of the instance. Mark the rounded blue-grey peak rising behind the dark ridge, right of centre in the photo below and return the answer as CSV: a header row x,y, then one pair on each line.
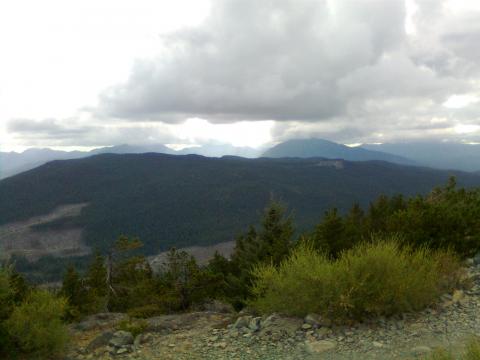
x,y
307,148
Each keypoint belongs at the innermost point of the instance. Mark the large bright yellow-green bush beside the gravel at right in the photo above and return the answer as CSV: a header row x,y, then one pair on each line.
x,y
372,279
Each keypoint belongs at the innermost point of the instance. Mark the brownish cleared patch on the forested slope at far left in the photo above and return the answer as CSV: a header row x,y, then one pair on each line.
x,y
20,237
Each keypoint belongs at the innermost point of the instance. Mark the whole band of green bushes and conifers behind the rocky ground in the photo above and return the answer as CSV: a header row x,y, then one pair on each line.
x,y
399,255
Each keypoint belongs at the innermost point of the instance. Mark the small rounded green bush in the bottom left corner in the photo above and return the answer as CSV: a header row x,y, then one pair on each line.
x,y
36,326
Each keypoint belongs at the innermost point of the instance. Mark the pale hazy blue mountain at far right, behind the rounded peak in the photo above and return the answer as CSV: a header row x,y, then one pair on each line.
x,y
441,155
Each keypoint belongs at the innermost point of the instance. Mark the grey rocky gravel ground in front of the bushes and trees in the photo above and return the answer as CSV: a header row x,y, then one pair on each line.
x,y
219,334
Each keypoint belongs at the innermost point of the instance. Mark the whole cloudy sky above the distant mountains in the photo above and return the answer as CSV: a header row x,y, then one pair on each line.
x,y
84,74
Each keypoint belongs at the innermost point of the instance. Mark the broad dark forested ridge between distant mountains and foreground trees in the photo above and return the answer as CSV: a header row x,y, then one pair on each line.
x,y
173,200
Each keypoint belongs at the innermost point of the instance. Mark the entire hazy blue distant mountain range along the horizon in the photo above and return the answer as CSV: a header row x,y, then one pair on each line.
x,y
438,155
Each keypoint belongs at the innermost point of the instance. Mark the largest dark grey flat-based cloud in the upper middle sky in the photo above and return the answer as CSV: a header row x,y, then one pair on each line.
x,y
256,60
